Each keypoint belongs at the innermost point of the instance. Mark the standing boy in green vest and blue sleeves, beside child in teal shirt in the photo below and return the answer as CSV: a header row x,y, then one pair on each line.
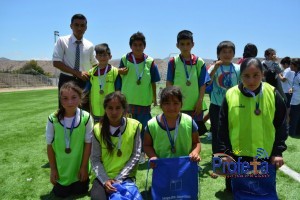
x,y
188,72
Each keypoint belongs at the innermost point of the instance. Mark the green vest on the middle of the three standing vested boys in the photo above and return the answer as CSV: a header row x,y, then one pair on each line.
x,y
142,94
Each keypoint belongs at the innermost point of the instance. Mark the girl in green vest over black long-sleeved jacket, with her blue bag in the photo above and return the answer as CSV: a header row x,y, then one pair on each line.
x,y
253,128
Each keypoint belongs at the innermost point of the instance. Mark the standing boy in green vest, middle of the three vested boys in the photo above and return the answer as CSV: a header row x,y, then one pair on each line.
x,y
139,84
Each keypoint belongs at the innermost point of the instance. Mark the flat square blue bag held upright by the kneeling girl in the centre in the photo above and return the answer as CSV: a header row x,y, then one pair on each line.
x,y
175,178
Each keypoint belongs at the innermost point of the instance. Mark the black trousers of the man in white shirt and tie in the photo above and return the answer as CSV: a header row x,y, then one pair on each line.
x,y
63,78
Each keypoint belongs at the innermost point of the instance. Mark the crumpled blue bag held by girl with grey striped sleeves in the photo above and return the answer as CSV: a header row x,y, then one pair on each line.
x,y
125,191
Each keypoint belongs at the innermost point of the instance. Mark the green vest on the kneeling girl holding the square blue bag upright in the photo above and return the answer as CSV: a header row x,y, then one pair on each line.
x,y
161,143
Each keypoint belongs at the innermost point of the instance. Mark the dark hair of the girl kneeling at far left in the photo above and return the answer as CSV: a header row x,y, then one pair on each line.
x,y
60,113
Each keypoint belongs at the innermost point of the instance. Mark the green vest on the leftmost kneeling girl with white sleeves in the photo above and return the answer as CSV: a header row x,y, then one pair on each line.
x,y
68,165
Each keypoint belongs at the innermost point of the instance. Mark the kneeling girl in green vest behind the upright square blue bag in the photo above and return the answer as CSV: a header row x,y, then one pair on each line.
x,y
172,134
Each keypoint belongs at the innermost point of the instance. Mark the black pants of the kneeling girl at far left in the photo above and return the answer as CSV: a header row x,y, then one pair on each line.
x,y
76,188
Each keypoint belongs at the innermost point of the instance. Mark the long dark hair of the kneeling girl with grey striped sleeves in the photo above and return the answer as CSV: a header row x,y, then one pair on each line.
x,y
105,132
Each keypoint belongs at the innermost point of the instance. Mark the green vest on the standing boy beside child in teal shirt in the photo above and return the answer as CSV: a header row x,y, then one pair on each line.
x,y
190,93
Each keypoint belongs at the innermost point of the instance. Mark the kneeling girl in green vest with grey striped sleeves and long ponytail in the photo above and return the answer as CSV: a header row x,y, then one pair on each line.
x,y
116,147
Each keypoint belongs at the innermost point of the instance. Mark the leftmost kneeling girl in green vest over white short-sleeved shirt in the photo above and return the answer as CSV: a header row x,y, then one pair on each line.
x,y
68,136
